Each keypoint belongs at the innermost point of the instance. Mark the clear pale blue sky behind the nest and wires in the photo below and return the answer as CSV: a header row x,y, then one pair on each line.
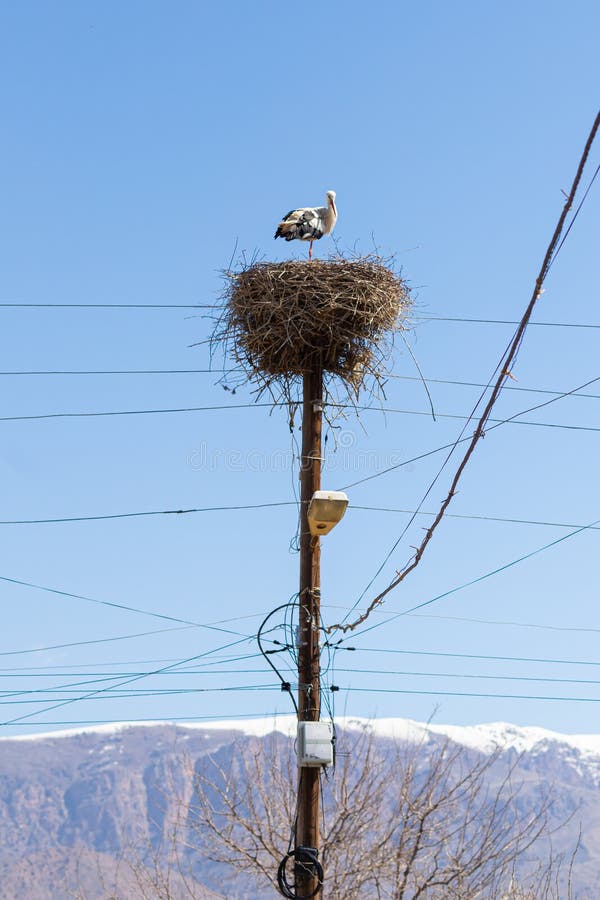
x,y
142,142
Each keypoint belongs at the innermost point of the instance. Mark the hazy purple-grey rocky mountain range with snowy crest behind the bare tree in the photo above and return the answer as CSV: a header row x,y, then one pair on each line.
x,y
73,803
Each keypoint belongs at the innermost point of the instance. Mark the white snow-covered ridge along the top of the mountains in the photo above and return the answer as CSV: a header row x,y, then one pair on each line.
x,y
485,737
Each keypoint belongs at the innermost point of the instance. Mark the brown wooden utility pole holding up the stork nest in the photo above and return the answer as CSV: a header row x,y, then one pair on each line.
x,y
307,832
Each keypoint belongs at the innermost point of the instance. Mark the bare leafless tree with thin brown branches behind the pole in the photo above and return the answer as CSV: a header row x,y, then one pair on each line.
x,y
397,822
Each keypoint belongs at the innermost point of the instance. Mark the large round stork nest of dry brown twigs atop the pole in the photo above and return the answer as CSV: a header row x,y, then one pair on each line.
x,y
284,319
